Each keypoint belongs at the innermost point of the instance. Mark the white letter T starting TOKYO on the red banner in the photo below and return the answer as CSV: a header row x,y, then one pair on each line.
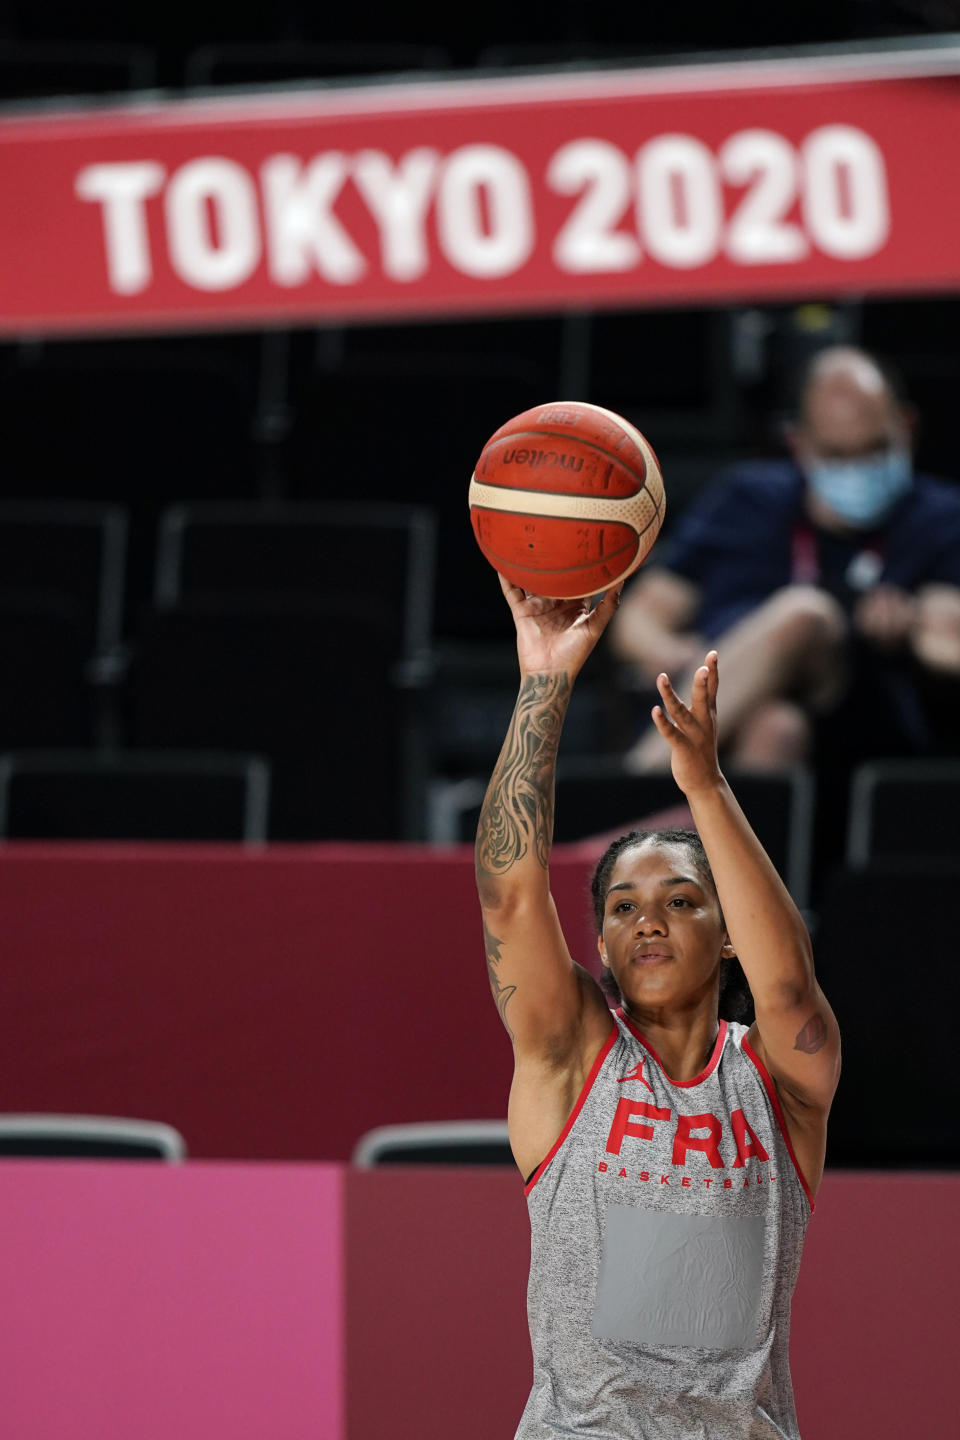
x,y
123,191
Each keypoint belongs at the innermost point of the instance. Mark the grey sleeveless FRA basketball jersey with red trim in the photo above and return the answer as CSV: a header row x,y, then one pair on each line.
x,y
667,1232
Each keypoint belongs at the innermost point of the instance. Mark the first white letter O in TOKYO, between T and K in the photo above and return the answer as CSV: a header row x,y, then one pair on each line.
x,y
214,228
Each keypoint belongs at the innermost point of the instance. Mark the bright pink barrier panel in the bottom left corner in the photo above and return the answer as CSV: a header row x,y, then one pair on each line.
x,y
199,1302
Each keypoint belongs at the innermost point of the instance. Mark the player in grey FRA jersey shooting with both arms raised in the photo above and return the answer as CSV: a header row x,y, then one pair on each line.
x,y
671,1154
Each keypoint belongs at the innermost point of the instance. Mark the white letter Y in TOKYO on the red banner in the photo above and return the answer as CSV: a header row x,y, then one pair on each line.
x,y
398,198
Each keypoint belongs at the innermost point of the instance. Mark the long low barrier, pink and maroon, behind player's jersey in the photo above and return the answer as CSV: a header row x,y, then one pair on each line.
x,y
277,1302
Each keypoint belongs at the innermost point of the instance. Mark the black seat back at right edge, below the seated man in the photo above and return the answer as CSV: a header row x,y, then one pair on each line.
x,y
905,809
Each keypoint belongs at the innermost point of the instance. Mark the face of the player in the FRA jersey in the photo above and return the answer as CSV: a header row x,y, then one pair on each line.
x,y
663,932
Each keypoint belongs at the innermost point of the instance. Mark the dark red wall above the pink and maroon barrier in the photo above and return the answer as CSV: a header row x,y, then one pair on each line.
x,y
270,1004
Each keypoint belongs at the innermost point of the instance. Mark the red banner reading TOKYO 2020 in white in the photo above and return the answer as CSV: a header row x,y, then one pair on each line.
x,y
684,185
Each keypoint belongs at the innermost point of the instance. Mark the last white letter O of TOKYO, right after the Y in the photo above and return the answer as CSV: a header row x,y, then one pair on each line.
x,y
496,244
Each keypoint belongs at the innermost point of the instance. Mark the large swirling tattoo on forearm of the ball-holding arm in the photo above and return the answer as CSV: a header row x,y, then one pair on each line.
x,y
517,810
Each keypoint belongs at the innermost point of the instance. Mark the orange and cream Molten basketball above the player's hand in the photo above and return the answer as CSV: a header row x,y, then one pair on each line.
x,y
566,499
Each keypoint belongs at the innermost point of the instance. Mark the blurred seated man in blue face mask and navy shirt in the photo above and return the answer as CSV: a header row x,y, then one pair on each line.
x,y
820,580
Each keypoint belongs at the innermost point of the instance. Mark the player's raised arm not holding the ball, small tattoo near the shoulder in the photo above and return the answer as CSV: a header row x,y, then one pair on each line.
x,y
800,1032
